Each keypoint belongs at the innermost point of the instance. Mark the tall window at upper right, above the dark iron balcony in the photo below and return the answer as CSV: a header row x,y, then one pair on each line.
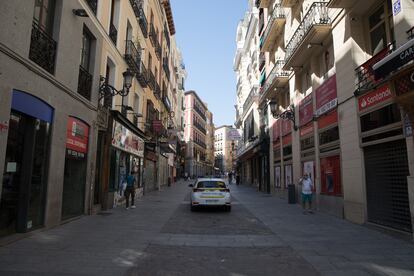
x,y
381,27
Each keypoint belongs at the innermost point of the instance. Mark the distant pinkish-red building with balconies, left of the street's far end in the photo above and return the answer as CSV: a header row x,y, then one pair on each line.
x,y
195,136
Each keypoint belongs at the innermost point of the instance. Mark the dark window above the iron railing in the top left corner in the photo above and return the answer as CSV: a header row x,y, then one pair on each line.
x,y
44,14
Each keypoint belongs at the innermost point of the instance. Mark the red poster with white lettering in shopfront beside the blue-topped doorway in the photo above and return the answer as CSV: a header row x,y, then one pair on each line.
x,y
77,134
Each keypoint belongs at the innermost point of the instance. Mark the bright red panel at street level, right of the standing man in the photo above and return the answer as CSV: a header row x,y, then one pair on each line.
x,y
331,176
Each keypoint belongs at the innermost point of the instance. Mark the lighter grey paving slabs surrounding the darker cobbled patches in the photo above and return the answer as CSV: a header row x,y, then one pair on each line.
x,y
114,242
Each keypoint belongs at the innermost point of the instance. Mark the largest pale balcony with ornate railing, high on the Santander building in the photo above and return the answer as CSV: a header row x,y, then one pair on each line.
x,y
314,28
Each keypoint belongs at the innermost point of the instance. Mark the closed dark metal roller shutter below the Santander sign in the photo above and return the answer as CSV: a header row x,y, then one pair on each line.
x,y
386,168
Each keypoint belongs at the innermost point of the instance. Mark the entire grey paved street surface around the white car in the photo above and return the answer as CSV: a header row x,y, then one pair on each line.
x,y
263,235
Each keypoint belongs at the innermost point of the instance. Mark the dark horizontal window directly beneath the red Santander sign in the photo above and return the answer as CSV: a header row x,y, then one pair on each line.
x,y
382,117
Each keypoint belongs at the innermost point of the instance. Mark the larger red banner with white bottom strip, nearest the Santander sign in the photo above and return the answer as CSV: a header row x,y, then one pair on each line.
x,y
326,96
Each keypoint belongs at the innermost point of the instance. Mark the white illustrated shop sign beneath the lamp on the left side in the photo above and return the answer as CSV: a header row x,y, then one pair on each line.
x,y
126,140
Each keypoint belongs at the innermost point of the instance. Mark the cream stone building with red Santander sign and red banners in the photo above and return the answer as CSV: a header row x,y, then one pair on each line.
x,y
334,95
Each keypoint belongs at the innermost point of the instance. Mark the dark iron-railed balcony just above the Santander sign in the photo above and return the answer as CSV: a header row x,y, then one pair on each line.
x,y
365,73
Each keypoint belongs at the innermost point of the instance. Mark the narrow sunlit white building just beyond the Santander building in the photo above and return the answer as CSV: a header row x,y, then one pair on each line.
x,y
252,152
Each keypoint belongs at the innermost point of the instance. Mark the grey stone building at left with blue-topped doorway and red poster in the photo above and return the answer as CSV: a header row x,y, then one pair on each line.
x,y
49,100
